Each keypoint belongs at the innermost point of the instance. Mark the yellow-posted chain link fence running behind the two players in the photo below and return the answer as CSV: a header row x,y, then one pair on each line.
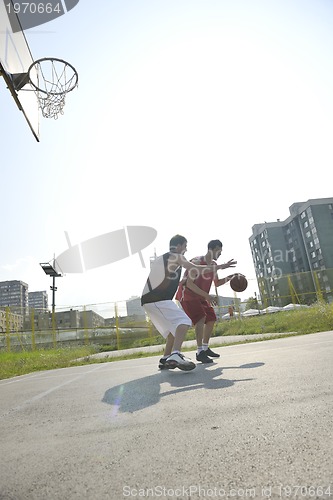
x,y
115,326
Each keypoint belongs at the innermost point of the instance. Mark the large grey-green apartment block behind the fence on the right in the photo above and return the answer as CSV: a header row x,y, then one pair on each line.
x,y
293,259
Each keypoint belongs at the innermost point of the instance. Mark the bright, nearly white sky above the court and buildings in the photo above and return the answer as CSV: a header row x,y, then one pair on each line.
x,y
195,117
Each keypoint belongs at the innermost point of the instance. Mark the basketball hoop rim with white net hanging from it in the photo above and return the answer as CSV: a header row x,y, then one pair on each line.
x,y
52,79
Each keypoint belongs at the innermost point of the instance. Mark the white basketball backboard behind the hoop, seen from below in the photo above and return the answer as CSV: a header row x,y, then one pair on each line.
x,y
16,58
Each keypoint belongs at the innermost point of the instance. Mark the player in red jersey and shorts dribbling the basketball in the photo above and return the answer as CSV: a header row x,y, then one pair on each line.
x,y
193,295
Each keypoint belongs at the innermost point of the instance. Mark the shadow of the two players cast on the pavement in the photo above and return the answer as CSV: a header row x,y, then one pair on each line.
x,y
144,392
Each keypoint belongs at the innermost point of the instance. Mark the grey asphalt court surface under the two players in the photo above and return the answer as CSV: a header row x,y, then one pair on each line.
x,y
258,419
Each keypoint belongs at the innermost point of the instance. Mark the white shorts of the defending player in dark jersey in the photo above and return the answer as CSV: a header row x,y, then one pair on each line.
x,y
166,316
